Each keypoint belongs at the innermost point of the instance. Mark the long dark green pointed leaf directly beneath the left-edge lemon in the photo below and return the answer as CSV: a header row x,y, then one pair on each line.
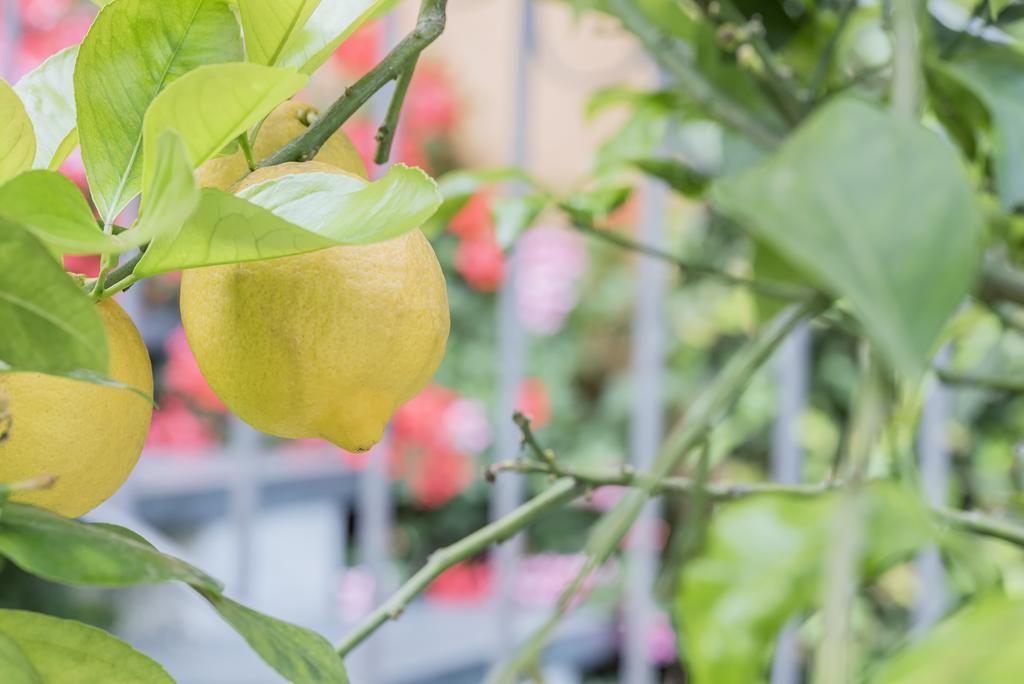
x,y
63,550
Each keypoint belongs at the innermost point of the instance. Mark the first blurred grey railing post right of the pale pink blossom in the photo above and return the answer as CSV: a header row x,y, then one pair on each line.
x,y
648,369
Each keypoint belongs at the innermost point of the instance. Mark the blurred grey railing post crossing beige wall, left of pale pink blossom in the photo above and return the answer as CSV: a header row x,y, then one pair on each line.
x,y
513,353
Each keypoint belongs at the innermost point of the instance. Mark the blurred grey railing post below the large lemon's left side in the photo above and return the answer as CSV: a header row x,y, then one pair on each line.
x,y
244,451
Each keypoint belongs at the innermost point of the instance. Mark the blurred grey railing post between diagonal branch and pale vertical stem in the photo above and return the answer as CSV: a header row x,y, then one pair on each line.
x,y
793,370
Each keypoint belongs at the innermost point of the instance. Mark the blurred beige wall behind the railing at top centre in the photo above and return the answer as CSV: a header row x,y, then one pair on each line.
x,y
575,58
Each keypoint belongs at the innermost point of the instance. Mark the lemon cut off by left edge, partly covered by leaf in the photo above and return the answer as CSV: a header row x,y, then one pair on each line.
x,y
89,436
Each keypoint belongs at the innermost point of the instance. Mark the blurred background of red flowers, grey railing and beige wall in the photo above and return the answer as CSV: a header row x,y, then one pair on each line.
x,y
583,338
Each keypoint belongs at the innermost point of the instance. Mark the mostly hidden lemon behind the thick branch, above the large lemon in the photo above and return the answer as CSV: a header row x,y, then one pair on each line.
x,y
288,121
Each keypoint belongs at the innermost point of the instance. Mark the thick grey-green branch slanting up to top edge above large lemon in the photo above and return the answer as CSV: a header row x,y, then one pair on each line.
x,y
430,26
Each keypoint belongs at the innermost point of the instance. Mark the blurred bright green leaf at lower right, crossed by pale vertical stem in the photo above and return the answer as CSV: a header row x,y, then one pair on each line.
x,y
763,565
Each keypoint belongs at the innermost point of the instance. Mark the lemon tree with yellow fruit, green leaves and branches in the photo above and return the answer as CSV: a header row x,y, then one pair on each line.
x,y
868,170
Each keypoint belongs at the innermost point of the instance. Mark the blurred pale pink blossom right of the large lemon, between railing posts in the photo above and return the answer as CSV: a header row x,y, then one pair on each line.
x,y
551,262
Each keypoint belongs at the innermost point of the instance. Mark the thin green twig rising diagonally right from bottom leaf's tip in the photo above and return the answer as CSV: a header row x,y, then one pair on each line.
x,y
562,493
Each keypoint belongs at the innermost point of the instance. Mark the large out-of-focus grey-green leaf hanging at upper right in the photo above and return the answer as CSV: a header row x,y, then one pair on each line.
x,y
873,207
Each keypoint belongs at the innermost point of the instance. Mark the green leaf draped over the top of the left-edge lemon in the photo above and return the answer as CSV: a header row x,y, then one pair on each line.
x,y
49,324
